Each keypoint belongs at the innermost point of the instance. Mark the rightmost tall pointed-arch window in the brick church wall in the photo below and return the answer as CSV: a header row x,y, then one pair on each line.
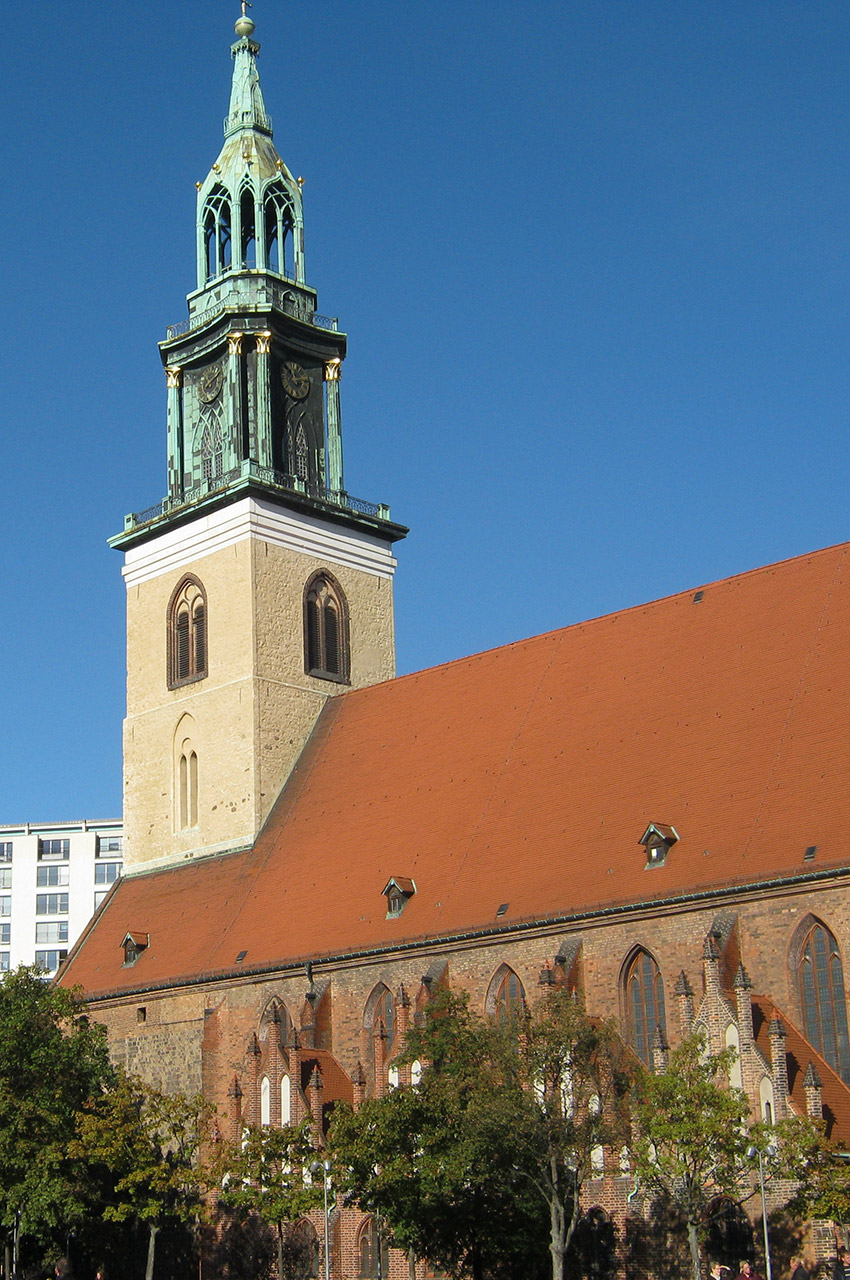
x,y
825,1012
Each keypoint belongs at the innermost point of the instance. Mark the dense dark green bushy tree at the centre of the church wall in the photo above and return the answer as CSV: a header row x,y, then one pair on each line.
x,y
437,1163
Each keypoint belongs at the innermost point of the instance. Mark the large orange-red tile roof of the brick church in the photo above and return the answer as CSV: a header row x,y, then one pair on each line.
x,y
527,776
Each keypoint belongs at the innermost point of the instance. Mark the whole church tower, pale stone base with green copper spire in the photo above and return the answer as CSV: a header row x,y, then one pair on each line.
x,y
259,587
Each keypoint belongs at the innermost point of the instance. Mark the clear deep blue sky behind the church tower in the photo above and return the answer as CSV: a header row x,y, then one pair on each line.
x,y
593,259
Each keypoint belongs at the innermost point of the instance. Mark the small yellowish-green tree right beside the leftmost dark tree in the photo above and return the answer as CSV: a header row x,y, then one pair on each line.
x,y
149,1145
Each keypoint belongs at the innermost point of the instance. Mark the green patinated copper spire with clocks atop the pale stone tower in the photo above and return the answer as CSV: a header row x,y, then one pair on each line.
x,y
254,372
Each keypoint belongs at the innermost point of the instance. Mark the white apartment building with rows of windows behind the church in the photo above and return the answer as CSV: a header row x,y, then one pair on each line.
x,y
53,877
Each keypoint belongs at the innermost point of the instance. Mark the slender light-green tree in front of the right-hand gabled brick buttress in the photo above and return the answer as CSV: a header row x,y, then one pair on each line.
x,y
691,1136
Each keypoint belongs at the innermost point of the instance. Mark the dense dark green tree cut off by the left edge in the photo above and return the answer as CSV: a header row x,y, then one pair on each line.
x,y
53,1062
